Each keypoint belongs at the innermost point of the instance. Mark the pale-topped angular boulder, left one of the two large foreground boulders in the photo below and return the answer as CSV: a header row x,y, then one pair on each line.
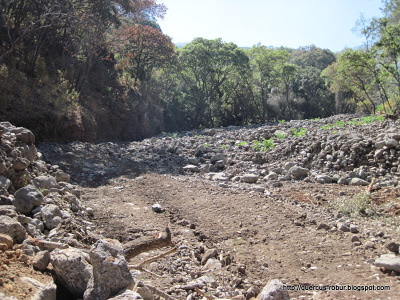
x,y
72,270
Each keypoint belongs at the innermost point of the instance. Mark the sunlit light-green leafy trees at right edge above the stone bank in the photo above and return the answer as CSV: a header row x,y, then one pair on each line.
x,y
368,79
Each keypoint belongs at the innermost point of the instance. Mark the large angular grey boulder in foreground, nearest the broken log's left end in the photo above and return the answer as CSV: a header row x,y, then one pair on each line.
x,y
110,270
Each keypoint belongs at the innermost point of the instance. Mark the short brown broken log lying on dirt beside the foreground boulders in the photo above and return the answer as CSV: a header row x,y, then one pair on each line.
x,y
140,245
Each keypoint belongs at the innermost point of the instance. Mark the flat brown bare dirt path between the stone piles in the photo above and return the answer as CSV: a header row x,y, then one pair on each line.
x,y
273,236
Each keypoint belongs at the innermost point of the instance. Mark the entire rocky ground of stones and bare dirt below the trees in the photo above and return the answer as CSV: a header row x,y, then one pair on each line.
x,y
310,203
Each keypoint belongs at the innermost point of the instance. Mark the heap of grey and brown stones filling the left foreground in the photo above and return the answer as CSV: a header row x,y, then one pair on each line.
x,y
43,223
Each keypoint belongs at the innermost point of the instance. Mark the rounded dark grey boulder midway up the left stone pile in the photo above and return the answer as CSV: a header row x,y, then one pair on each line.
x,y
27,198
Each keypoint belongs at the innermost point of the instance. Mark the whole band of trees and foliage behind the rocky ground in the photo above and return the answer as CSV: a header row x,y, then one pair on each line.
x,y
103,69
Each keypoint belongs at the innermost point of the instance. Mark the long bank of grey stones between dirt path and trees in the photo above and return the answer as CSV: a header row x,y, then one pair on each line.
x,y
352,154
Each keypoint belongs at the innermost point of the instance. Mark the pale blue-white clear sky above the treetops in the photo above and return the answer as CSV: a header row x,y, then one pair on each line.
x,y
327,24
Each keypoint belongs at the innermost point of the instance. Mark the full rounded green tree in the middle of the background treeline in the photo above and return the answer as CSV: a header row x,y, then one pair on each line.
x,y
206,67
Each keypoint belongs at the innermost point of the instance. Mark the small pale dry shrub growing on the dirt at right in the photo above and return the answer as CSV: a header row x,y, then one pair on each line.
x,y
358,205
